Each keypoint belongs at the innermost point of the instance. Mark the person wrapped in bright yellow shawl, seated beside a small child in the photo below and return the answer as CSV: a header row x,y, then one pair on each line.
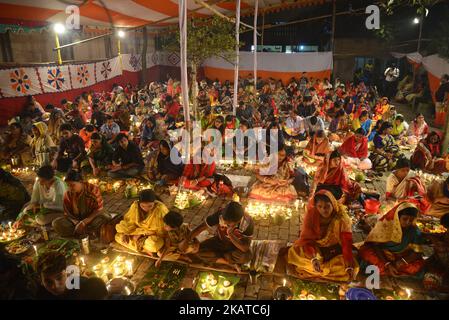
x,y
142,228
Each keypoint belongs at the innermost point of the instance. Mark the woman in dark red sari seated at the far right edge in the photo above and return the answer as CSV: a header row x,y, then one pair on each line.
x,y
427,153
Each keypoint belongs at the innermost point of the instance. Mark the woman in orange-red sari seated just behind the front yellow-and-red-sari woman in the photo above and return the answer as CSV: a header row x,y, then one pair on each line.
x,y
332,173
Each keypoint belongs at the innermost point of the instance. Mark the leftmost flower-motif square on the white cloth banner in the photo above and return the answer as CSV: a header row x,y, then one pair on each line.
x,y
19,82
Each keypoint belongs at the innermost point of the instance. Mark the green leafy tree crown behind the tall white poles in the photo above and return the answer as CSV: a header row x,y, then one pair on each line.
x,y
206,38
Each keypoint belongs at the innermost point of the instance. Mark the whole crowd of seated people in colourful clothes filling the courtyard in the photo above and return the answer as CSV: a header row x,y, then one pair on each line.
x,y
128,133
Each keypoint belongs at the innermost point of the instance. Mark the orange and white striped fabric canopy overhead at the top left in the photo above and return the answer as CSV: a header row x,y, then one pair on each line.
x,y
130,13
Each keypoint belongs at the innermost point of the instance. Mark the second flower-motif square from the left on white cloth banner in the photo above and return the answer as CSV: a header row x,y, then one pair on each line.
x,y
55,78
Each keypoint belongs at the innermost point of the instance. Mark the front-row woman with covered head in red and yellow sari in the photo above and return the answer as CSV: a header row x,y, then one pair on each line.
x,y
324,248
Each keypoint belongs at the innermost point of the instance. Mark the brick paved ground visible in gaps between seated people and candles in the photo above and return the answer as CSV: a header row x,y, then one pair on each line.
x,y
116,203
